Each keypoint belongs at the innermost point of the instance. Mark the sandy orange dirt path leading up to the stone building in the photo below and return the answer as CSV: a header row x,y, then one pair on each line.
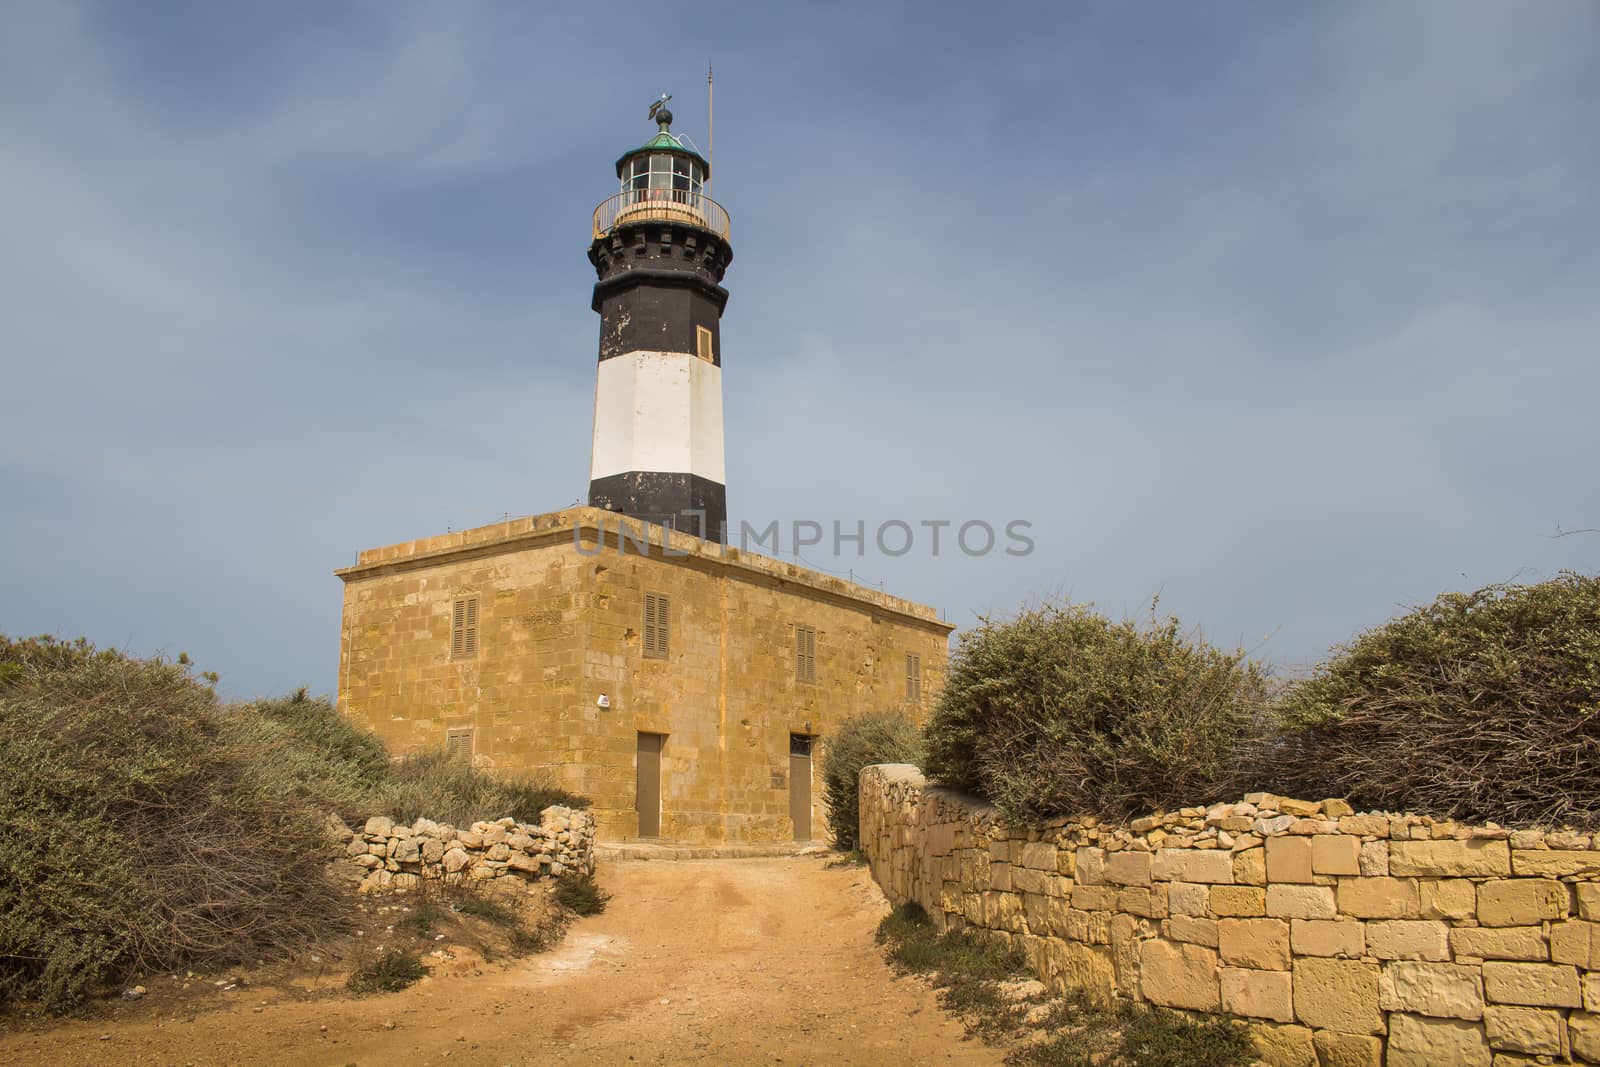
x,y
714,962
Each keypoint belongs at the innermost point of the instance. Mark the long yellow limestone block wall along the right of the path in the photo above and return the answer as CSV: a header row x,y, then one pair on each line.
x,y
1343,938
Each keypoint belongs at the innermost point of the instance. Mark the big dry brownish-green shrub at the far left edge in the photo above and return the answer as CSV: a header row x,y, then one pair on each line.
x,y
138,834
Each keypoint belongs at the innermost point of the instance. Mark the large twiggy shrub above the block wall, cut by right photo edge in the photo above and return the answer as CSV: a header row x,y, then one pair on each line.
x,y
1478,706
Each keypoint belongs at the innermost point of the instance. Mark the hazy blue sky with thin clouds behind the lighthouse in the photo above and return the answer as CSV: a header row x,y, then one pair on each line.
x,y
1287,314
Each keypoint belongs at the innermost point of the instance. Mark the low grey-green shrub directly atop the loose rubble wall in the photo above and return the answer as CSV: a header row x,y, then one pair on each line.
x,y
447,789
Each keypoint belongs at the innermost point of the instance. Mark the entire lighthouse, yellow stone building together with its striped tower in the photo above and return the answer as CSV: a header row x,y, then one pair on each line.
x,y
623,650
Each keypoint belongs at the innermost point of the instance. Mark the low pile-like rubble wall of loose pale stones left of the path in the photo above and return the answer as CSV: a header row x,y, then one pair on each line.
x,y
402,857
